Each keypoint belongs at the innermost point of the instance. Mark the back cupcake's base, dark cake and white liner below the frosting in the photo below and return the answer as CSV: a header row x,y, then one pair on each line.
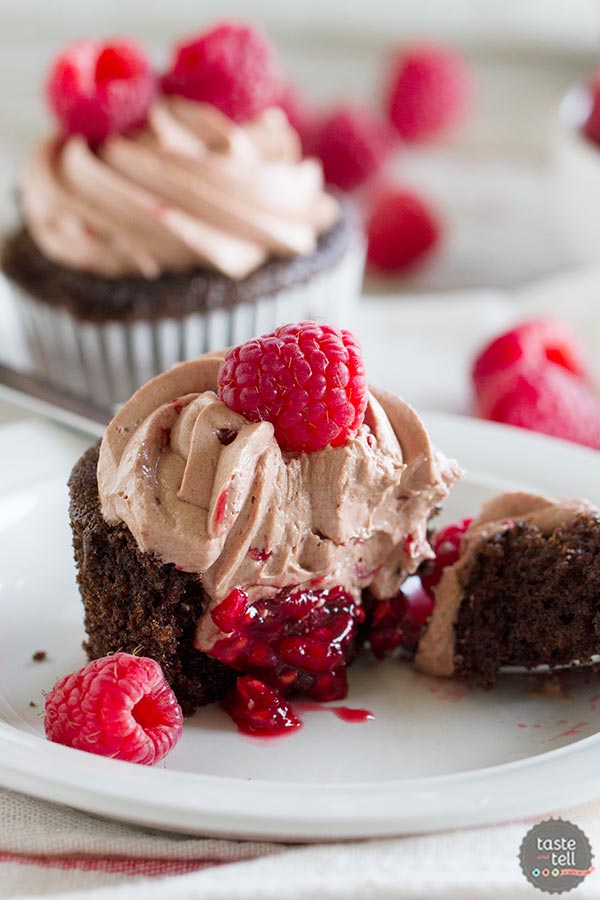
x,y
103,338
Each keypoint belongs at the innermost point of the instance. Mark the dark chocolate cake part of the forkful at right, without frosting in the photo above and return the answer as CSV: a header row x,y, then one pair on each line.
x,y
531,599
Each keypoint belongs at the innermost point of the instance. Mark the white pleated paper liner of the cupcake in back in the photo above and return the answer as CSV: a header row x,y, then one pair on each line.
x,y
108,362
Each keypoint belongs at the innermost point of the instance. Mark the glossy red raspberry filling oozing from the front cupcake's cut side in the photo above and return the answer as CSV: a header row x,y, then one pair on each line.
x,y
296,642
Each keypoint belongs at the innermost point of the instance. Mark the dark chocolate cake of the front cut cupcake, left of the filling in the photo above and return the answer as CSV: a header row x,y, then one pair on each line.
x,y
134,603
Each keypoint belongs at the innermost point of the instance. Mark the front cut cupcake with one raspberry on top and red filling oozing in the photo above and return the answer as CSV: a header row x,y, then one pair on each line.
x,y
209,539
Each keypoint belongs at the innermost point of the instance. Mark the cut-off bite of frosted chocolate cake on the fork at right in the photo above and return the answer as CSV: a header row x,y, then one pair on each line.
x,y
523,590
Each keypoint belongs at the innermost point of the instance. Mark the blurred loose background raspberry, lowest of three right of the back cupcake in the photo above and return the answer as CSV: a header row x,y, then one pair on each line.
x,y
401,230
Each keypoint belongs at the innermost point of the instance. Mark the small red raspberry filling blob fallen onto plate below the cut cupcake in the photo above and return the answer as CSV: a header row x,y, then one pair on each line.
x,y
258,709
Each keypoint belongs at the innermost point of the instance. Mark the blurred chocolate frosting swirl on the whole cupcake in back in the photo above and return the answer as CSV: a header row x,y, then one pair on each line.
x,y
190,189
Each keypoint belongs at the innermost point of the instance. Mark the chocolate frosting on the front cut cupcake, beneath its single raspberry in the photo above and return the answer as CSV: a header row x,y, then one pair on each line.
x,y
203,488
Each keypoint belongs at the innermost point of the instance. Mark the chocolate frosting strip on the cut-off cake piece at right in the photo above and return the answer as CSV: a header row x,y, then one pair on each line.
x,y
435,654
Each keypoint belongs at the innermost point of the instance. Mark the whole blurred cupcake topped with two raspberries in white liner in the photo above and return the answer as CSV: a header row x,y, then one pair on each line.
x,y
171,216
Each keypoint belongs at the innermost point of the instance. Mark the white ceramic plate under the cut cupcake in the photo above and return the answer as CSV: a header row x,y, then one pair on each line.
x,y
436,755
